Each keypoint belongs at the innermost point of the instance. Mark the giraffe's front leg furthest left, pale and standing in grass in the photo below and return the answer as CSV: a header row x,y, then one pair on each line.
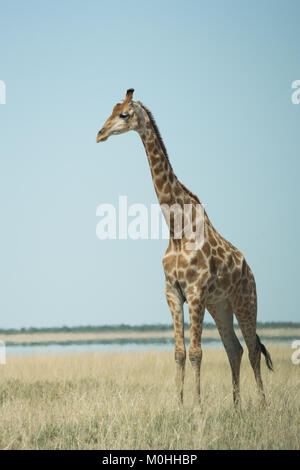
x,y
175,302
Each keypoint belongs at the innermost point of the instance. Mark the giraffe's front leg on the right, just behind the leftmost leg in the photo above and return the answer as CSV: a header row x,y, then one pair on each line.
x,y
196,312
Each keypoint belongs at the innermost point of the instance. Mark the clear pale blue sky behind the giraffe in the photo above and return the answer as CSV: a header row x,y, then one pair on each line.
x,y
217,77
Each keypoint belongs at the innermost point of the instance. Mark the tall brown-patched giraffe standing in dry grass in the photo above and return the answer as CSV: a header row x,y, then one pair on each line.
x,y
215,276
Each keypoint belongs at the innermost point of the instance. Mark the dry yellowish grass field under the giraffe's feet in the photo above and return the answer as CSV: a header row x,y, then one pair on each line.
x,y
126,401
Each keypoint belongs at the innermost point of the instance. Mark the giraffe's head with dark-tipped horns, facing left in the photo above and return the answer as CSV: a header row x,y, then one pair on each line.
x,y
124,118
